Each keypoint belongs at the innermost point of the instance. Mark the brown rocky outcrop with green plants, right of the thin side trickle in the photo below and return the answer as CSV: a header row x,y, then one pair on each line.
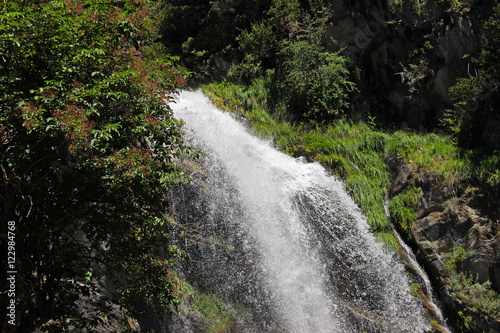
x,y
457,237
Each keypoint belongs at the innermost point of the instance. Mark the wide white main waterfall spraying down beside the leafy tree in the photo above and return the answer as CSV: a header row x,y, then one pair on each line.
x,y
296,249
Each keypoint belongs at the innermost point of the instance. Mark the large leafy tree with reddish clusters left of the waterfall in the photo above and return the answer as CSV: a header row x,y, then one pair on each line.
x,y
87,149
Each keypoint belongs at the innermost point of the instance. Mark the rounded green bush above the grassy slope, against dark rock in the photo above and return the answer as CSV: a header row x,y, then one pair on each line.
x,y
312,83
